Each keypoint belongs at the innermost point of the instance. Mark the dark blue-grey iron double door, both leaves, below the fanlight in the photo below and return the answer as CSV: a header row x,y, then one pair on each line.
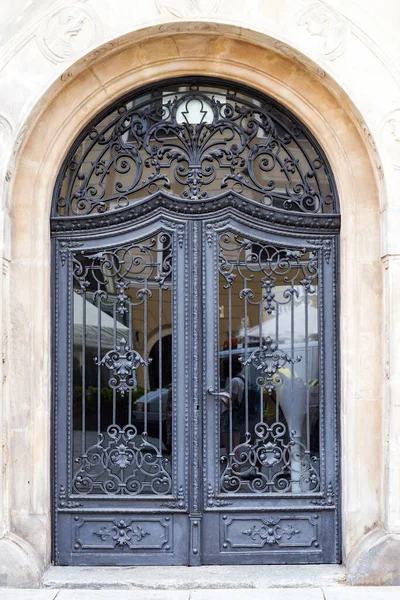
x,y
195,409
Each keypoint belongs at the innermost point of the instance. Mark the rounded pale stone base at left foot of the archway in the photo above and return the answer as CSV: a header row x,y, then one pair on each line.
x,y
19,563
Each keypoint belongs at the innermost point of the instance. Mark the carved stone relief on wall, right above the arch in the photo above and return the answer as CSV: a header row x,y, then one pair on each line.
x,y
325,23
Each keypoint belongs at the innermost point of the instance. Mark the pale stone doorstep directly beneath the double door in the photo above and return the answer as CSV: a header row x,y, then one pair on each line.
x,y
191,578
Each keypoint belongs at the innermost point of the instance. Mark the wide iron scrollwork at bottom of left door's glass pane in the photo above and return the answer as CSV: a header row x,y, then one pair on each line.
x,y
122,463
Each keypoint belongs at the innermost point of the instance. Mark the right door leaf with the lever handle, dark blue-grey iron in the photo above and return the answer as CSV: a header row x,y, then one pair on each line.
x,y
269,403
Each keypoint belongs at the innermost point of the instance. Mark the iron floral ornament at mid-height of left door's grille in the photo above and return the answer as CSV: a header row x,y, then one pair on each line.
x,y
123,361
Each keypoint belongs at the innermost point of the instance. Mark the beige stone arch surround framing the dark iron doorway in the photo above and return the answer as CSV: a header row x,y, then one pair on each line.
x,y
64,115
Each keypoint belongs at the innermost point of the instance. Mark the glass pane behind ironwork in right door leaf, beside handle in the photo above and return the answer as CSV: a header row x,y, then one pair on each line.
x,y
269,361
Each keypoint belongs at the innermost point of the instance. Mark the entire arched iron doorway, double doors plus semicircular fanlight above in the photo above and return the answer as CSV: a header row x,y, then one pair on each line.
x,y
207,209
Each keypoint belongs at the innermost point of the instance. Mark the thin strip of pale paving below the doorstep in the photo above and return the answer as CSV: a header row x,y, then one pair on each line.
x,y
326,593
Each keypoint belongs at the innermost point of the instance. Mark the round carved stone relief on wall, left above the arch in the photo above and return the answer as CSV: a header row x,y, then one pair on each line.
x,y
66,33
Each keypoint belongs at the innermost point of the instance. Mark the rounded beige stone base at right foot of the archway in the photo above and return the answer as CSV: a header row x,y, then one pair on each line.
x,y
376,560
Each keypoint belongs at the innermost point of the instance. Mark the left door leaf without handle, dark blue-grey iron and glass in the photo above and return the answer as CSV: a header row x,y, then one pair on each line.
x,y
121,462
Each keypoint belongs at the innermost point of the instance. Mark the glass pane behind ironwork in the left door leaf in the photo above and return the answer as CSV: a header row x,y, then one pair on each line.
x,y
122,369
